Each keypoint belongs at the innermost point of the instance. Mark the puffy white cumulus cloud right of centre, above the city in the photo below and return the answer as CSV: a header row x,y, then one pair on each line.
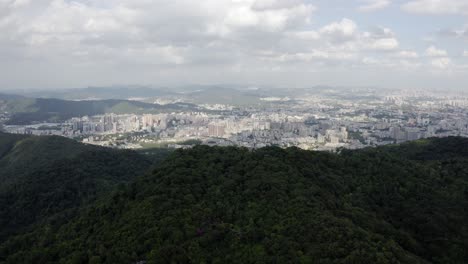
x,y
336,44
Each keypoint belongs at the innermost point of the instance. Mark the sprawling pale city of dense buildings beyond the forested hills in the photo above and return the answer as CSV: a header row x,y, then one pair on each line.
x,y
326,119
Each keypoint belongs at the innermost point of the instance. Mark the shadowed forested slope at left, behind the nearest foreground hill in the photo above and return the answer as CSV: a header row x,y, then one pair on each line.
x,y
41,177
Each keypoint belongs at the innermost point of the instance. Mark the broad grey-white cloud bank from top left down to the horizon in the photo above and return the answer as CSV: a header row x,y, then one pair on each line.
x,y
106,41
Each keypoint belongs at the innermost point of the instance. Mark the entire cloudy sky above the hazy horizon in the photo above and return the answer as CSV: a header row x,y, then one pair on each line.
x,y
401,44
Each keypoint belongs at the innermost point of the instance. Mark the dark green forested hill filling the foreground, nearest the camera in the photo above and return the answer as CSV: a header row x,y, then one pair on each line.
x,y
396,204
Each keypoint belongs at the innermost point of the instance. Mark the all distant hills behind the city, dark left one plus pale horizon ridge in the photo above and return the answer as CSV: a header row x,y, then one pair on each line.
x,y
59,105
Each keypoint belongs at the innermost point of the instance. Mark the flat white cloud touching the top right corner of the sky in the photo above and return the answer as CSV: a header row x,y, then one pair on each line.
x,y
437,7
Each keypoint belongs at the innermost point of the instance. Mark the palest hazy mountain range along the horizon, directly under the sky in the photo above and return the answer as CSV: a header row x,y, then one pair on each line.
x,y
197,94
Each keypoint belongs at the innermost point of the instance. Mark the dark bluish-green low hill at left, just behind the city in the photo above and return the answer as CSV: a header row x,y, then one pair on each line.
x,y
29,110
